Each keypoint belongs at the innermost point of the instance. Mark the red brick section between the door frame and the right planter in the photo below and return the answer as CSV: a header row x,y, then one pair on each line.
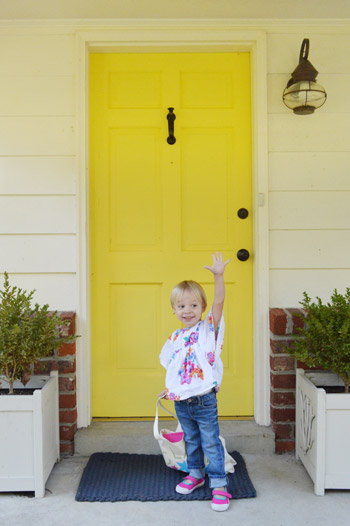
x,y
283,330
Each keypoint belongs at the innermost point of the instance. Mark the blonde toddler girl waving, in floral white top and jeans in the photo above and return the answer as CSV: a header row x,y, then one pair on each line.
x,y
191,357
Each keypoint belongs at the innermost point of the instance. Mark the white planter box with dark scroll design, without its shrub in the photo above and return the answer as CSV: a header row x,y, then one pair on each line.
x,y
323,430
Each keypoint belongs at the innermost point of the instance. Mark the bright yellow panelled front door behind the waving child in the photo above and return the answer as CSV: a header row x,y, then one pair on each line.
x,y
159,210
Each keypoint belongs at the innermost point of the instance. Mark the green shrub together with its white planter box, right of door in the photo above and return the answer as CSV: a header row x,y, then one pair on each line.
x,y
322,396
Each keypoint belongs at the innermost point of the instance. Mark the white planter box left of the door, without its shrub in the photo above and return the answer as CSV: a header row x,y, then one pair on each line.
x,y
29,437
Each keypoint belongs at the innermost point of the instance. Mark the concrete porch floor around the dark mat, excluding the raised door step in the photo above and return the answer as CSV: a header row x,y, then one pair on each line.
x,y
285,498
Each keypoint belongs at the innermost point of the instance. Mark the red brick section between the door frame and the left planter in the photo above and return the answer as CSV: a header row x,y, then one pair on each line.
x,y
64,361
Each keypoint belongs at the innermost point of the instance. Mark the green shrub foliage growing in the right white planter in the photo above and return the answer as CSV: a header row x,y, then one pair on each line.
x,y
325,337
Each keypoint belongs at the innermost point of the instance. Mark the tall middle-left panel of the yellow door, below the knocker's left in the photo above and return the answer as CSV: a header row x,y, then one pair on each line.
x,y
135,217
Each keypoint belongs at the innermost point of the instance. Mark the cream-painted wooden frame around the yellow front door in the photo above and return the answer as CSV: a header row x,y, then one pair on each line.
x,y
149,37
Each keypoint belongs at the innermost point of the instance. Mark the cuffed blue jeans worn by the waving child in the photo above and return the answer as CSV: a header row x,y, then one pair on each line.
x,y
198,417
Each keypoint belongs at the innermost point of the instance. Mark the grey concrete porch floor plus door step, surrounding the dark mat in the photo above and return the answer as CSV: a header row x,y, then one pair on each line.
x,y
285,492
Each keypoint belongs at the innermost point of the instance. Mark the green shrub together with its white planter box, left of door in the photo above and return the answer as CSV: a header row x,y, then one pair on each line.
x,y
29,414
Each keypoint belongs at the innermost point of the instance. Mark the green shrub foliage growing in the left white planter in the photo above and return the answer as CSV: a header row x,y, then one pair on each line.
x,y
26,333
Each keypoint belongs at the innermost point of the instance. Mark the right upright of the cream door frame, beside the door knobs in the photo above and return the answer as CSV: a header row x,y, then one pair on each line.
x,y
261,236
